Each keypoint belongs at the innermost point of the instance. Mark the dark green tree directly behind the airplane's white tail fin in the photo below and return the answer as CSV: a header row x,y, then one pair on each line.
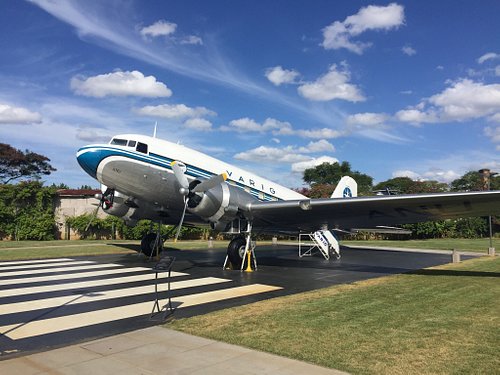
x,y
331,173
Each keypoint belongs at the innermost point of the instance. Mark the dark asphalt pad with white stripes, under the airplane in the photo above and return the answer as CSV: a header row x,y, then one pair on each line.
x,y
53,303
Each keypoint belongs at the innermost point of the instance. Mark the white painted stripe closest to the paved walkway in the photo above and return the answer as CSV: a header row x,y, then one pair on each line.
x,y
53,325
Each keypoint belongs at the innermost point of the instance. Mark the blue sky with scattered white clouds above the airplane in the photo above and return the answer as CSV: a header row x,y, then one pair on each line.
x,y
405,88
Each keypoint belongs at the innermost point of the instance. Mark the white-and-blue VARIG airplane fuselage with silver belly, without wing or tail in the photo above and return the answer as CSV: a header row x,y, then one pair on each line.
x,y
138,169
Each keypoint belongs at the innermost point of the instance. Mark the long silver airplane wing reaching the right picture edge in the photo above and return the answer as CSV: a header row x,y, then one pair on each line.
x,y
346,213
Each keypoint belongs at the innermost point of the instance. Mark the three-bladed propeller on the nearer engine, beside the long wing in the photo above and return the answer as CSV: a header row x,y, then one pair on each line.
x,y
189,191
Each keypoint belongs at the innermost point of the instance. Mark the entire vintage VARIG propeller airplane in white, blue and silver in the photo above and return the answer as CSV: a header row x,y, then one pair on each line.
x,y
145,177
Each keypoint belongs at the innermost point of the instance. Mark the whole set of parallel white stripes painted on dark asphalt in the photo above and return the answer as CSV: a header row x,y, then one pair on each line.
x,y
71,310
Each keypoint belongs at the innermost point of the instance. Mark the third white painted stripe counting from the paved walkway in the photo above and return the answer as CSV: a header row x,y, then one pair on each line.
x,y
80,285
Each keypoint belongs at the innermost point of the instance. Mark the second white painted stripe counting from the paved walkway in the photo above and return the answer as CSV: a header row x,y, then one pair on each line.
x,y
55,302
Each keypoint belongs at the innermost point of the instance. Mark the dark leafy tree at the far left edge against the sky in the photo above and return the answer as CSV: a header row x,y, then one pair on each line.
x,y
16,164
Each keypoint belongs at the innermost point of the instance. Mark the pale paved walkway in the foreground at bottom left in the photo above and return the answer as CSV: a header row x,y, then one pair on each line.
x,y
157,350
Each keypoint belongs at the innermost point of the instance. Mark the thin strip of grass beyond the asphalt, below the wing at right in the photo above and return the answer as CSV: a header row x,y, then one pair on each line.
x,y
477,245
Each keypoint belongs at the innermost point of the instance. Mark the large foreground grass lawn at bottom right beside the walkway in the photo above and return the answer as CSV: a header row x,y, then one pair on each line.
x,y
439,320
